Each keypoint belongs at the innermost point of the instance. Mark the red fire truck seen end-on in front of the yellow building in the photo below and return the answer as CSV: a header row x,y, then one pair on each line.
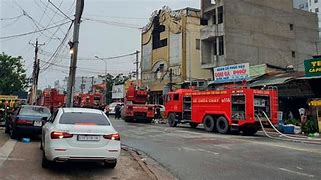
x,y
136,107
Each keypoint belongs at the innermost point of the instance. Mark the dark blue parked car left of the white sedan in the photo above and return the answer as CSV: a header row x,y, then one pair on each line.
x,y
26,119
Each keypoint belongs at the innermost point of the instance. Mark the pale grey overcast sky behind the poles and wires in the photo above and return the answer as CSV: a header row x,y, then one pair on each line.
x,y
109,28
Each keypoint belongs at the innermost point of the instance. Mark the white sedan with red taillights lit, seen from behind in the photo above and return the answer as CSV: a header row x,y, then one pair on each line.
x,y
79,134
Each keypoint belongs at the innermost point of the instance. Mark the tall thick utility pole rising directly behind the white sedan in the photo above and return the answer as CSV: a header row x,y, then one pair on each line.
x,y
74,53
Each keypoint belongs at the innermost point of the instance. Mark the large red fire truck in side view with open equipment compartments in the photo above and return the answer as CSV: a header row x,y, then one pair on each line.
x,y
222,110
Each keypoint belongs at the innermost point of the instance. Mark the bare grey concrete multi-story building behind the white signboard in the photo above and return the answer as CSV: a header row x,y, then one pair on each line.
x,y
257,32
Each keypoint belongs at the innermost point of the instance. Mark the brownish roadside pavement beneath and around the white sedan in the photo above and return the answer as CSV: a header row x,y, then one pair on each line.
x,y
21,161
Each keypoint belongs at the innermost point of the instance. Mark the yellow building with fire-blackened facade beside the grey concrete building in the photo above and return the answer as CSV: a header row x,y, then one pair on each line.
x,y
171,40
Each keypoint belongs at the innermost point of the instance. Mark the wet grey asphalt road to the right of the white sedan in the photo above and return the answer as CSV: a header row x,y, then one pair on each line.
x,y
195,154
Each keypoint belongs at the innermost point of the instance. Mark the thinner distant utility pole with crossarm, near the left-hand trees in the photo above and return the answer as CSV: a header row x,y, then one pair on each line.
x,y
35,73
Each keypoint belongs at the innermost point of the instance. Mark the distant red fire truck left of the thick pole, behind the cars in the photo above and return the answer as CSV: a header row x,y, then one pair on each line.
x,y
51,98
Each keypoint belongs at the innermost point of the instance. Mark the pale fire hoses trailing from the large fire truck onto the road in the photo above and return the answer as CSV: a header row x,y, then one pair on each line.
x,y
289,138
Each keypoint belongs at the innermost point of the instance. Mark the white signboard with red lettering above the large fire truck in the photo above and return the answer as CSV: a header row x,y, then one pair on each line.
x,y
232,73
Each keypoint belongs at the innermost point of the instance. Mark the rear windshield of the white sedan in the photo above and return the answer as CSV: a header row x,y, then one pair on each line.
x,y
84,118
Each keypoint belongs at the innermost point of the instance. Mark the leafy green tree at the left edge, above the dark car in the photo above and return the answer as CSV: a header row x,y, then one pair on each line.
x,y
12,75
